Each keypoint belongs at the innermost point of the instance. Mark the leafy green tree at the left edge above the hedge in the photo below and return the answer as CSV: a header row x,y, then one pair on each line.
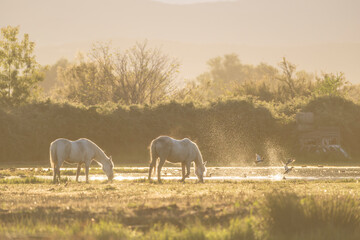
x,y
19,71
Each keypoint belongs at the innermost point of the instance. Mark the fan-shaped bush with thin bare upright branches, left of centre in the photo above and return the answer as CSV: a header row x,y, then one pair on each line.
x,y
144,75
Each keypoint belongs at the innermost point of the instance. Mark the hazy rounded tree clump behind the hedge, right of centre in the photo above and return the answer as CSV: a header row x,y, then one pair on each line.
x,y
228,76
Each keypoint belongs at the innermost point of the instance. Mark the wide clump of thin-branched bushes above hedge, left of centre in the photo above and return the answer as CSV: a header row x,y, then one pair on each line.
x,y
138,75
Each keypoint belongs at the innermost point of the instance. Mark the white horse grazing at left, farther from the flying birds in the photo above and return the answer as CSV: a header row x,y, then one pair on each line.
x,y
80,151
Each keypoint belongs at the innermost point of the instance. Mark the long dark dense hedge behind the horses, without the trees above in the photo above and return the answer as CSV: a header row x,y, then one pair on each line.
x,y
227,132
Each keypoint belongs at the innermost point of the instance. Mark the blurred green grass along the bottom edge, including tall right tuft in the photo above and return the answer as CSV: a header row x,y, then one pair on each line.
x,y
285,216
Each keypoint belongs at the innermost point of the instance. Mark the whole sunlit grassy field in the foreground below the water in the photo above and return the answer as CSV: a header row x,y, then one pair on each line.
x,y
33,208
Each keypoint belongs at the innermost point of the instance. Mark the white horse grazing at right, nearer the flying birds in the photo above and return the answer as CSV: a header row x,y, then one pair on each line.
x,y
184,151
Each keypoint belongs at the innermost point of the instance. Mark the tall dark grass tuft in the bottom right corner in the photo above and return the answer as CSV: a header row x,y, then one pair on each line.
x,y
325,217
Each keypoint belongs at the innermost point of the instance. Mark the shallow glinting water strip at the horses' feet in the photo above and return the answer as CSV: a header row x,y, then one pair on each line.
x,y
239,173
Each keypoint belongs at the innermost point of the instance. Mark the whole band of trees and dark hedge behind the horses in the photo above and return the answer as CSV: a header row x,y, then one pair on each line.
x,y
123,99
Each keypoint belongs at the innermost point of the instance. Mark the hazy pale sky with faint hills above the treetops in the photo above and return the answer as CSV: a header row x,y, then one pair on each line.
x,y
317,35
